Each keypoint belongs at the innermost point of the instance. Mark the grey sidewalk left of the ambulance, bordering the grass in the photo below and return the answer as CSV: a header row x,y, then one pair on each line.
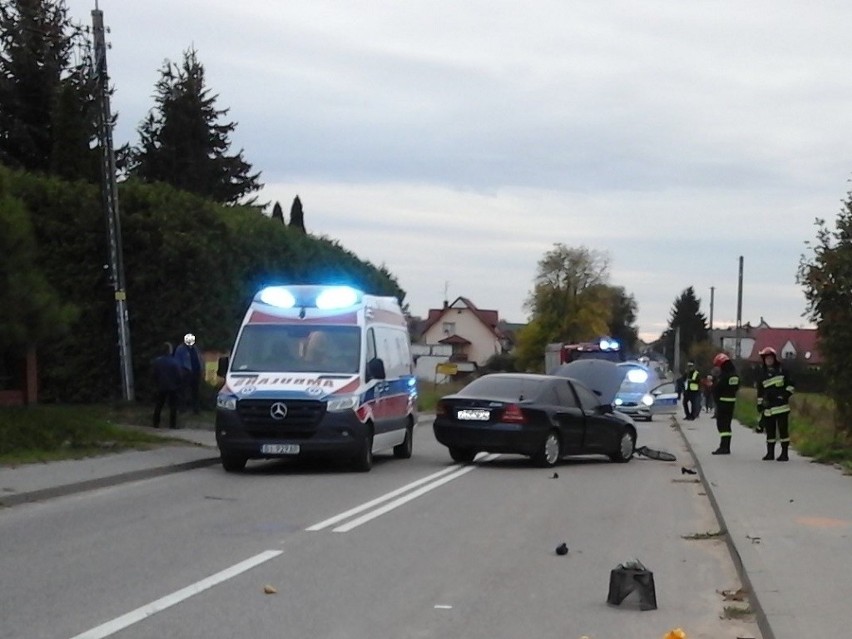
x,y
34,482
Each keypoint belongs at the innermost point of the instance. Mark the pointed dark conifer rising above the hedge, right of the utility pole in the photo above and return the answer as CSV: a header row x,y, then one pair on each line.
x,y
183,142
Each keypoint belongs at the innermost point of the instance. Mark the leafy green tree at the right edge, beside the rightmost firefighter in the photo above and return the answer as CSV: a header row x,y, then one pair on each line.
x,y
827,280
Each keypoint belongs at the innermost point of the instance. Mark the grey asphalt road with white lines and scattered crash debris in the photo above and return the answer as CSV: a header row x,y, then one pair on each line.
x,y
419,548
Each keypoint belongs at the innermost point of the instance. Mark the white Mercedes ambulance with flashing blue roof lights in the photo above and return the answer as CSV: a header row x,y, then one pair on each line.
x,y
317,371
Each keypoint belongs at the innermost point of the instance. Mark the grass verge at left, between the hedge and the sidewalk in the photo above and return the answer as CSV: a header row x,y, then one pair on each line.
x,y
51,432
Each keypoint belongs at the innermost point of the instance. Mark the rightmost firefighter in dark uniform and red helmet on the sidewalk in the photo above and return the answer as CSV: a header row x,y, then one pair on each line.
x,y
774,388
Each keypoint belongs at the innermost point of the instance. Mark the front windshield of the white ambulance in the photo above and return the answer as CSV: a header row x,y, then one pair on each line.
x,y
271,348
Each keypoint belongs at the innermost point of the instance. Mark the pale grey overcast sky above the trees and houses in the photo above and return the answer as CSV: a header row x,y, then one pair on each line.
x,y
456,141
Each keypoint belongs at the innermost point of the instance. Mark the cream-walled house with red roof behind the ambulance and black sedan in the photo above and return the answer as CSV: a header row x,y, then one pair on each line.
x,y
473,333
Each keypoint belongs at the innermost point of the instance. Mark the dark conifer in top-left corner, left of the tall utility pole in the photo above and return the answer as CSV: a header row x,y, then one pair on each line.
x,y
48,116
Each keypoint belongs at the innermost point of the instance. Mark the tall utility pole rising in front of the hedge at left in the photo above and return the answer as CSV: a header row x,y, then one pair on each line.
x,y
109,191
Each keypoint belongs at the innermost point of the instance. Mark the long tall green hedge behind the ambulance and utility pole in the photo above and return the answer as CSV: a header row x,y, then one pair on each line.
x,y
190,266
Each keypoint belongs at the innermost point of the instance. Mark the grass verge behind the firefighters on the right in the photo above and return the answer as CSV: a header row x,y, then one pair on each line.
x,y
812,427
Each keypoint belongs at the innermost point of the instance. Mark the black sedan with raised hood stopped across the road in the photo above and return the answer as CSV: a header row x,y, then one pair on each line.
x,y
542,416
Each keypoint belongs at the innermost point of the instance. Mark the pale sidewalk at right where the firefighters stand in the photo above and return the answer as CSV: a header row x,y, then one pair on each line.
x,y
789,527
